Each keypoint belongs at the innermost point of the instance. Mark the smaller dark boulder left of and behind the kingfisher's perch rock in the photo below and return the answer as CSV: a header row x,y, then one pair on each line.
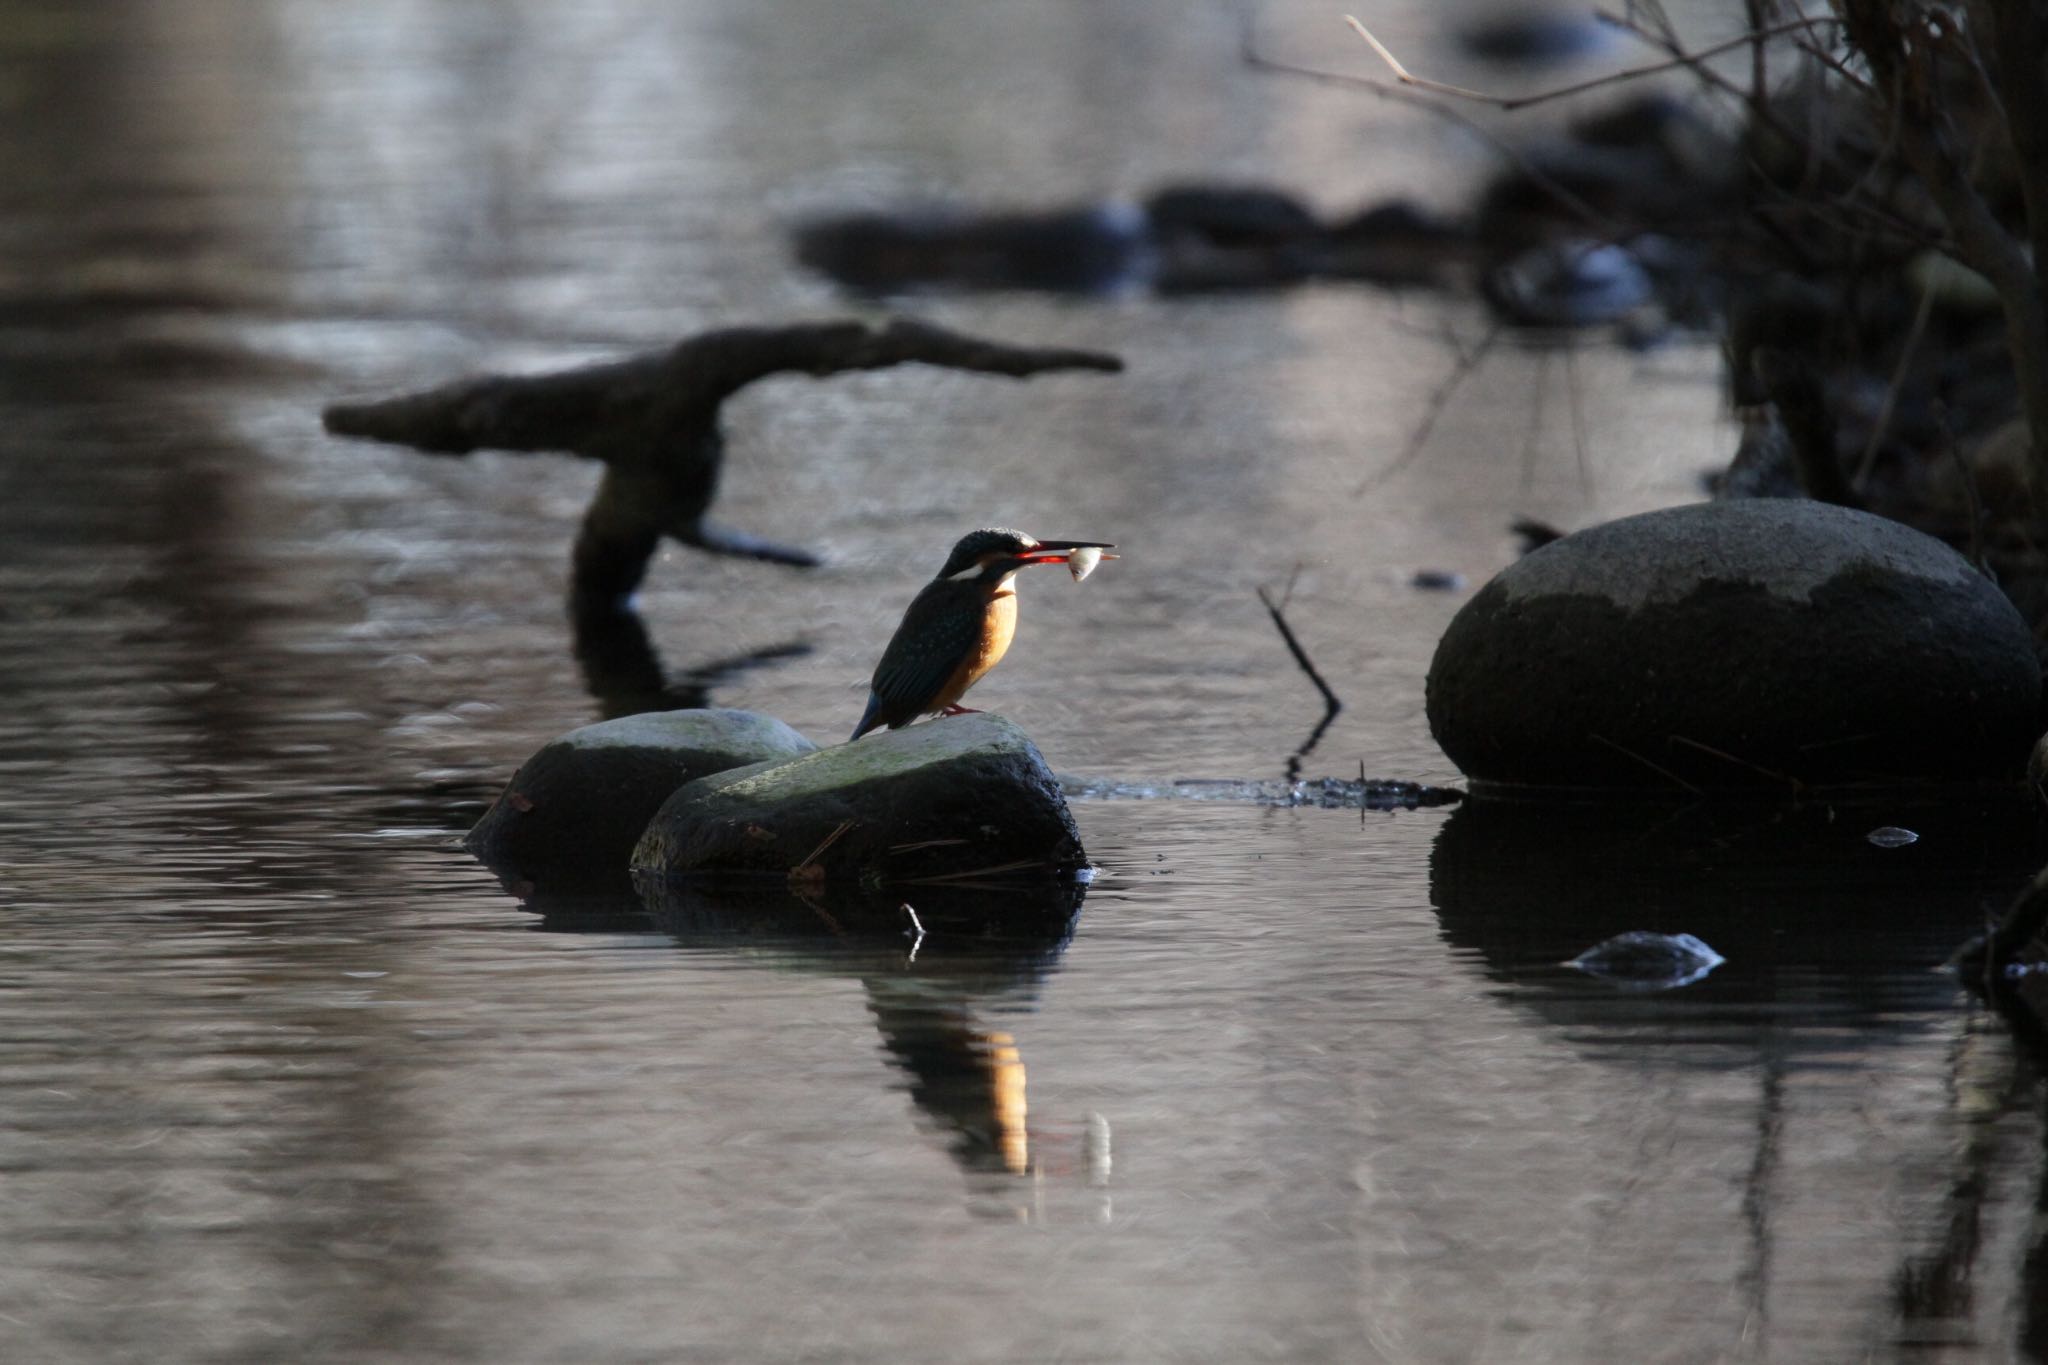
x,y
574,811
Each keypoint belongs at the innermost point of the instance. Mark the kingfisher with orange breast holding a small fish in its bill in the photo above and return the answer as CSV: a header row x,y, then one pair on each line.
x,y
959,627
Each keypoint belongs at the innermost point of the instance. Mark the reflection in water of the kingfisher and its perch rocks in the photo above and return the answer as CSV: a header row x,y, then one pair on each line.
x,y
929,973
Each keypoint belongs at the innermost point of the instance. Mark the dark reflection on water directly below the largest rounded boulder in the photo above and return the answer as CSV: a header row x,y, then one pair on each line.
x,y
1785,893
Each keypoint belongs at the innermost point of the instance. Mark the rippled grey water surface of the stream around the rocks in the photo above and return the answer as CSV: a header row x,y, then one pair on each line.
x,y
290,1077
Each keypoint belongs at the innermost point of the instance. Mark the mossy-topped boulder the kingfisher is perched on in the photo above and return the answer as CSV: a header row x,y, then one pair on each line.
x,y
949,799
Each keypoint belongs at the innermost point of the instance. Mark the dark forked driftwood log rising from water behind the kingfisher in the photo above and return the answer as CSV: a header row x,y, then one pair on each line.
x,y
652,421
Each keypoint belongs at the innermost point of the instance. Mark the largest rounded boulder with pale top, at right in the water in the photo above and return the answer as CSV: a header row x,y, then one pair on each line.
x,y
1764,646
